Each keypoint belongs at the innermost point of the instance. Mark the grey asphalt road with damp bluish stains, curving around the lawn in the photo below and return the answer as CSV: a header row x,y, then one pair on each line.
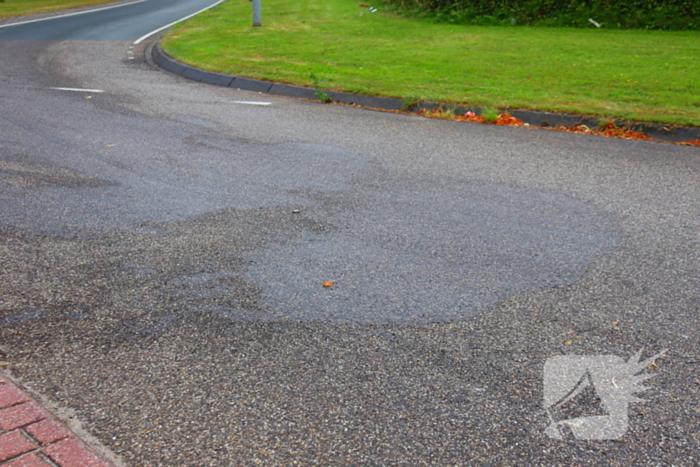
x,y
164,247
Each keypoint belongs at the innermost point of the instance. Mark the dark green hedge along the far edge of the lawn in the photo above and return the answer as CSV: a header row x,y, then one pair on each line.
x,y
638,14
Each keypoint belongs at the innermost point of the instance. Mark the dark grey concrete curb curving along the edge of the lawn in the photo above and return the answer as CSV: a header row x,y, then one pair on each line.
x,y
662,132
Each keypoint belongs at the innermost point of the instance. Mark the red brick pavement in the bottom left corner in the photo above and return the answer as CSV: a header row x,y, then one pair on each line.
x,y
31,437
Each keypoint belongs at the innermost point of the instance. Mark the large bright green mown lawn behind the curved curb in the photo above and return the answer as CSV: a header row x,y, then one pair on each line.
x,y
641,75
